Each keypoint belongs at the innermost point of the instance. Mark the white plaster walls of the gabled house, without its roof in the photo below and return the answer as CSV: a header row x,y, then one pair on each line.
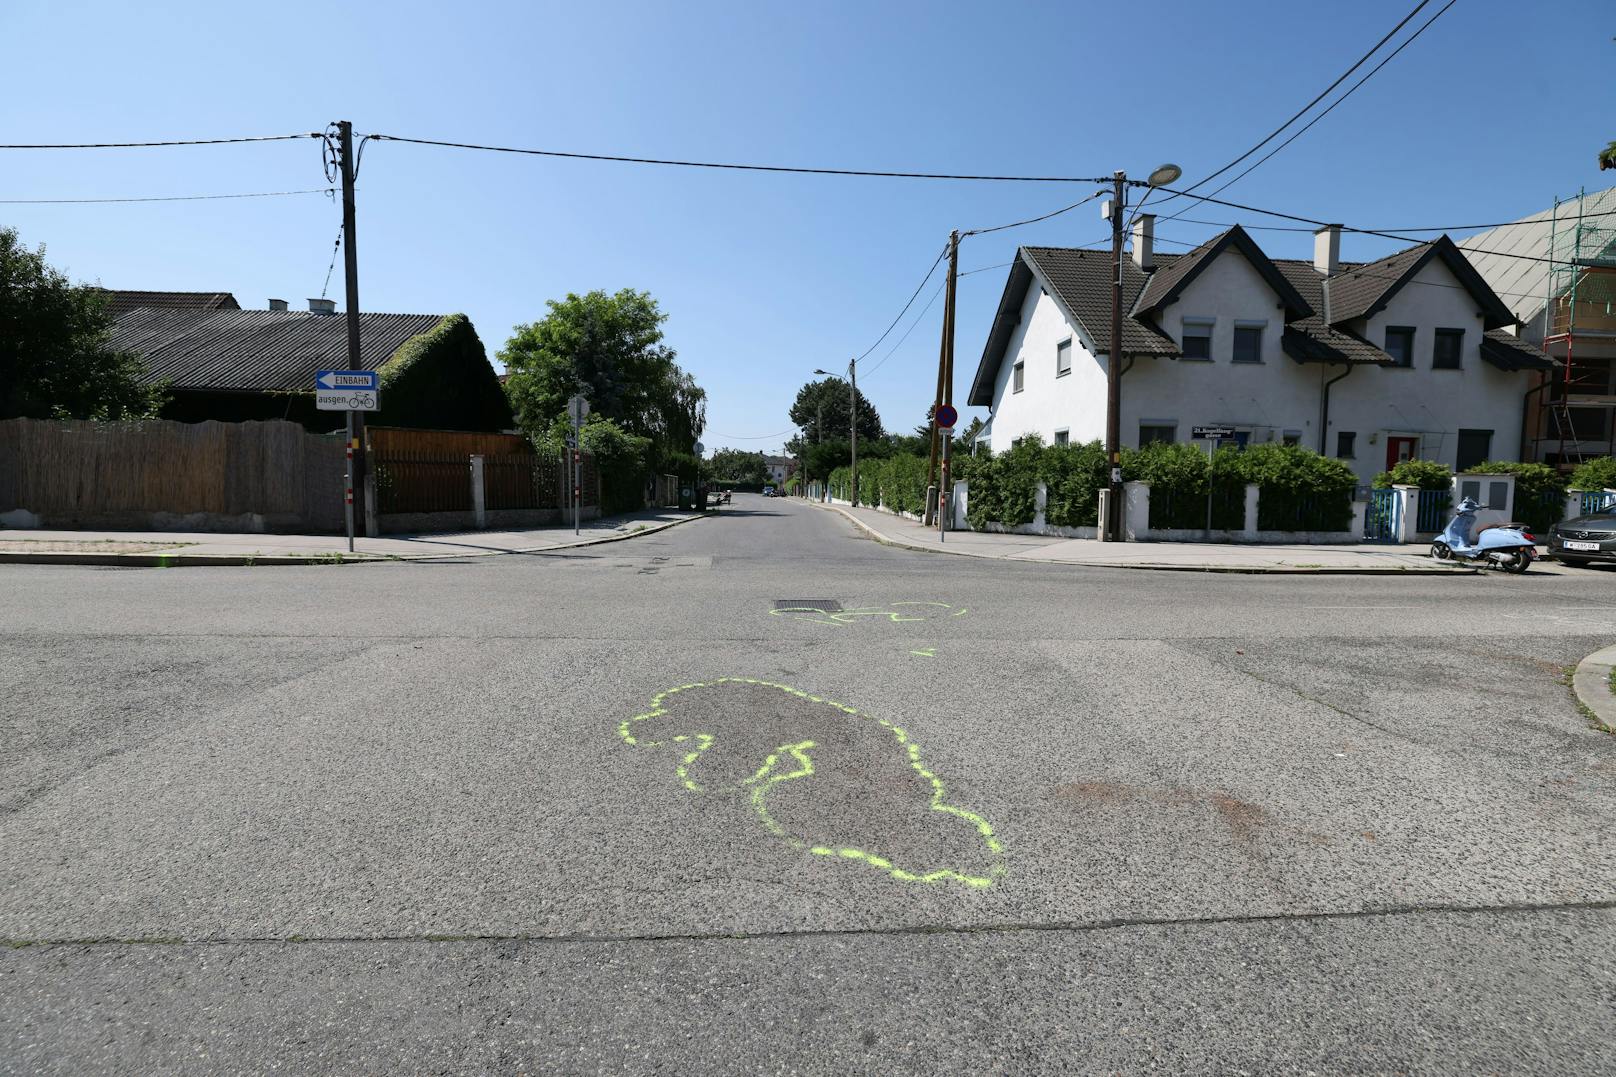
x,y
1387,410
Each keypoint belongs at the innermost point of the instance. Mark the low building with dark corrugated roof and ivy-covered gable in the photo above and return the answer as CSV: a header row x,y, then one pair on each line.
x,y
230,365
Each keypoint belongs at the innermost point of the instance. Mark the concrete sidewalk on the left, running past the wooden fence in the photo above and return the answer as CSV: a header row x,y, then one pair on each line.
x,y
180,549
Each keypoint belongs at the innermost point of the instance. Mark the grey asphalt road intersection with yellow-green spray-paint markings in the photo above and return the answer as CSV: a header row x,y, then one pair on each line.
x,y
615,813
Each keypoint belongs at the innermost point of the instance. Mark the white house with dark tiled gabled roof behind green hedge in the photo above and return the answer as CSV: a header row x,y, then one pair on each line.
x,y
1371,363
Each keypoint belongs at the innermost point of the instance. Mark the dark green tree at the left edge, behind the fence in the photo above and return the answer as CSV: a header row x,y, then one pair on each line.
x,y
56,361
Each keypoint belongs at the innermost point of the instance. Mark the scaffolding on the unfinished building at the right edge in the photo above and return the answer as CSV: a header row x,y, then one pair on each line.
x,y
1578,303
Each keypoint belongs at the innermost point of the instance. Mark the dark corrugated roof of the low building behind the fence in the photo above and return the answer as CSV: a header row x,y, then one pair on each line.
x,y
256,350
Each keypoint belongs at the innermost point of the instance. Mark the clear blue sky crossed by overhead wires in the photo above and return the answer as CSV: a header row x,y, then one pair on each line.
x,y
1491,114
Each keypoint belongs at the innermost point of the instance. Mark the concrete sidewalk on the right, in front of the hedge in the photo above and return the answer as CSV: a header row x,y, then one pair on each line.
x,y
1187,557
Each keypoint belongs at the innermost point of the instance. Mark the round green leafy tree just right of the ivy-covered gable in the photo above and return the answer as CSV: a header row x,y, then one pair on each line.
x,y
608,348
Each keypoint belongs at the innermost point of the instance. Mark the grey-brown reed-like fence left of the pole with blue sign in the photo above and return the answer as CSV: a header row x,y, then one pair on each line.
x,y
206,476
